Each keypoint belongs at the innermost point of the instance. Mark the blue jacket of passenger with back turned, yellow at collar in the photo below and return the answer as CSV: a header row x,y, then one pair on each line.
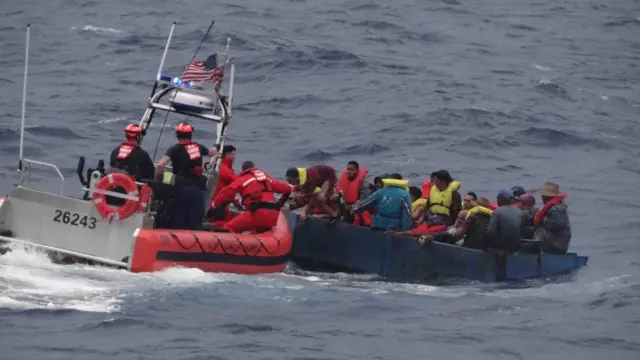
x,y
393,208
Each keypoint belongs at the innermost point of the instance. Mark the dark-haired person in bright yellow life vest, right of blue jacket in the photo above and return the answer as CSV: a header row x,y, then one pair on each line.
x,y
444,198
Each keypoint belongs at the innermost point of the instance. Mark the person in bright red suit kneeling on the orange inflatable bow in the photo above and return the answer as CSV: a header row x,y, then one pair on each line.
x,y
257,189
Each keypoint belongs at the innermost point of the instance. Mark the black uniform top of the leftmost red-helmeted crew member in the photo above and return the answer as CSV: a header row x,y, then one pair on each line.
x,y
132,159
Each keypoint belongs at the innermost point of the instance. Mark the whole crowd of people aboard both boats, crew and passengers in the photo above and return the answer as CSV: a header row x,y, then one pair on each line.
x,y
438,209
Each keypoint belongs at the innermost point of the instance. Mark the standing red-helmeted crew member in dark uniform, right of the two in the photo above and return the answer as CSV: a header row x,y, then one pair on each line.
x,y
186,161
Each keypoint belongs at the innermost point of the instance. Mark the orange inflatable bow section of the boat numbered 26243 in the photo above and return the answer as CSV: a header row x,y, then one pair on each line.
x,y
157,249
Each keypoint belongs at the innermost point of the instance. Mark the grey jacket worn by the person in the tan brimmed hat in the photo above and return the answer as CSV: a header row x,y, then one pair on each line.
x,y
555,230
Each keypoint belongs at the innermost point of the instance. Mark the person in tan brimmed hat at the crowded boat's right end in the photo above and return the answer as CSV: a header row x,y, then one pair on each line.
x,y
553,232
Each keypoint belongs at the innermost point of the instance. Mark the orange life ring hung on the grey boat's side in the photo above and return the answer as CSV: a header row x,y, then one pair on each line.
x,y
108,183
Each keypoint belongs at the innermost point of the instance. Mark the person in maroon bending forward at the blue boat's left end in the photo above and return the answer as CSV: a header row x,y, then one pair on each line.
x,y
307,180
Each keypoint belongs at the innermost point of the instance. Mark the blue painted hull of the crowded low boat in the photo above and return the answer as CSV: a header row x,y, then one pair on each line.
x,y
321,246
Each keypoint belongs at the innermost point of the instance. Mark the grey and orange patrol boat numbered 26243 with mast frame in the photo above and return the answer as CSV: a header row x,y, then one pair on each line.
x,y
131,236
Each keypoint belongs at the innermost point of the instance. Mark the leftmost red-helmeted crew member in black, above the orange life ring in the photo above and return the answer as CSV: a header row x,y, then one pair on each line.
x,y
130,158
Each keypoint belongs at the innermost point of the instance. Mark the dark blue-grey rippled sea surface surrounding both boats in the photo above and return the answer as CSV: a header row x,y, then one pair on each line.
x,y
499,92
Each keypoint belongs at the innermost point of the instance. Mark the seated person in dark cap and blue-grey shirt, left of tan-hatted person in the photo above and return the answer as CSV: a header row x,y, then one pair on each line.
x,y
505,224
